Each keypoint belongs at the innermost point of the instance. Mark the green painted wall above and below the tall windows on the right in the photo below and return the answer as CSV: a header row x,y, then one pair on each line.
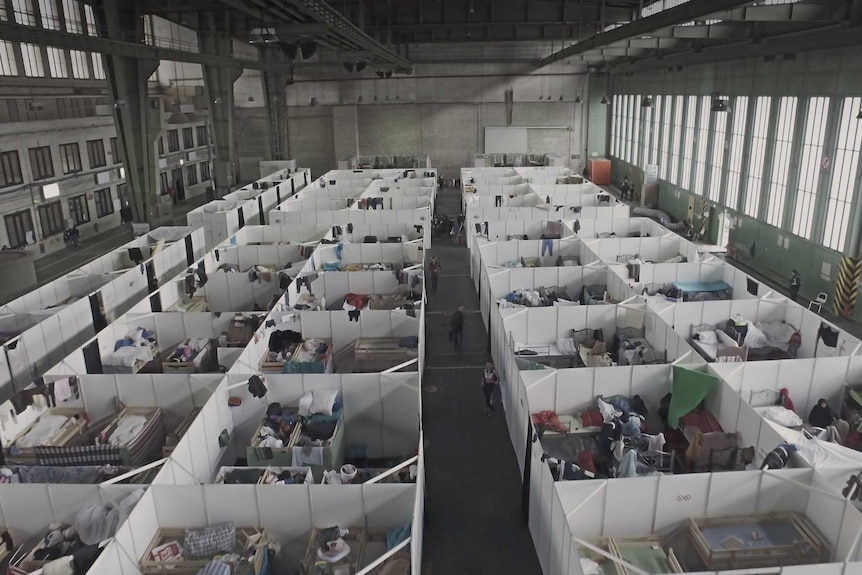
x,y
836,73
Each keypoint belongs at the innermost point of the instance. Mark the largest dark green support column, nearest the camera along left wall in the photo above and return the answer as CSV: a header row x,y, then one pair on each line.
x,y
136,115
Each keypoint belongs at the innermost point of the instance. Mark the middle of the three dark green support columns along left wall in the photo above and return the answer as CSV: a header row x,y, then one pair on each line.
x,y
218,83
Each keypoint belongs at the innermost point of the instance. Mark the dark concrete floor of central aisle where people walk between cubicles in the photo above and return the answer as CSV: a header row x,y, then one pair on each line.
x,y
473,516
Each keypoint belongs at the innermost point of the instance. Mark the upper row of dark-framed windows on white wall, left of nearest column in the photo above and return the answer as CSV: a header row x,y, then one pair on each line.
x,y
42,163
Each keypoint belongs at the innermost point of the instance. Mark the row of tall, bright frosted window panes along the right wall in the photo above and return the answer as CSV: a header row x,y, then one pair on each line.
x,y
684,152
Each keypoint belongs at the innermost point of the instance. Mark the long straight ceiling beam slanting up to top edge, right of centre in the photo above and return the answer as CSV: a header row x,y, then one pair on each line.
x,y
693,10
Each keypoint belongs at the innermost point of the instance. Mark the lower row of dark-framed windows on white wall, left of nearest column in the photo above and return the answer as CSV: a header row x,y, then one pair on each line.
x,y
18,224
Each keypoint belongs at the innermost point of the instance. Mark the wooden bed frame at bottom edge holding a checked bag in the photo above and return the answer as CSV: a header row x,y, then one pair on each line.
x,y
244,536
